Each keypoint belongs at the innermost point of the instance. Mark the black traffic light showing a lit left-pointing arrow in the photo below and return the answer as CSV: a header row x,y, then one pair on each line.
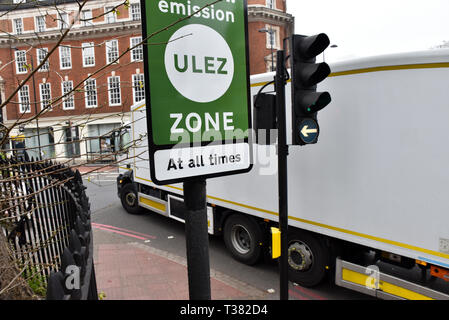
x,y
306,74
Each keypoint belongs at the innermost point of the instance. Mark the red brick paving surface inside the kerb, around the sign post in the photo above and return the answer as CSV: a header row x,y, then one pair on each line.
x,y
125,271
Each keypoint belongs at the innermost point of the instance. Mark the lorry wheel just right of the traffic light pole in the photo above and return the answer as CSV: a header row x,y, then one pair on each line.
x,y
307,258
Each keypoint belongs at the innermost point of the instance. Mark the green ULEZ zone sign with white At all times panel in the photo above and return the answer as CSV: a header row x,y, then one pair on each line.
x,y
198,83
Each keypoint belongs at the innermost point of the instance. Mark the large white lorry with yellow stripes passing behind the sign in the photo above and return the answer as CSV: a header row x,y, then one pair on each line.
x,y
374,190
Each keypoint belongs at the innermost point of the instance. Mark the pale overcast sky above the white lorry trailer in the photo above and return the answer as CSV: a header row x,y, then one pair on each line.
x,y
362,28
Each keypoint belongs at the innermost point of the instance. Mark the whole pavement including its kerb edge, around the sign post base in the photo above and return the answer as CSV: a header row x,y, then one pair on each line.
x,y
134,270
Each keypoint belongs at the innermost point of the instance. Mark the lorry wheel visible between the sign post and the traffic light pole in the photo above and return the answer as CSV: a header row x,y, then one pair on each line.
x,y
243,238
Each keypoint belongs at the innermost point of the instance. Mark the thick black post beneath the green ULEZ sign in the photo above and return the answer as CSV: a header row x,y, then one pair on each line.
x,y
197,239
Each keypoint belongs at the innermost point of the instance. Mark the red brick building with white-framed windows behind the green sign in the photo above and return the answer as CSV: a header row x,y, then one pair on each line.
x,y
81,125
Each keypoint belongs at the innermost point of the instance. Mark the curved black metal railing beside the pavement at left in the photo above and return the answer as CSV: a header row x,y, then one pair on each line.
x,y
45,214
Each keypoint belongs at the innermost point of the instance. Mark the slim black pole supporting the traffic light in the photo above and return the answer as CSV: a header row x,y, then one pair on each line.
x,y
282,173
